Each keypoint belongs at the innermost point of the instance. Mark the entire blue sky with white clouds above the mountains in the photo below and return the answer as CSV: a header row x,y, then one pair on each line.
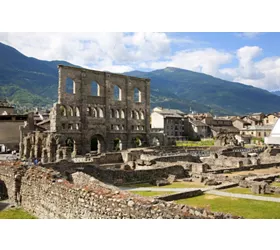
x,y
249,58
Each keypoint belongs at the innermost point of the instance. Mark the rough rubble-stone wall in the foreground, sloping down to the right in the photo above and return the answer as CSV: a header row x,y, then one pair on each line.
x,y
44,194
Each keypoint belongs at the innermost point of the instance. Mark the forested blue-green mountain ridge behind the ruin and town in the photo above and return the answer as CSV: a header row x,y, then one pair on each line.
x,y
33,82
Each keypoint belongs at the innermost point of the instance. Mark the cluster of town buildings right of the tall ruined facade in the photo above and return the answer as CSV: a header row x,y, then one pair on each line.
x,y
177,126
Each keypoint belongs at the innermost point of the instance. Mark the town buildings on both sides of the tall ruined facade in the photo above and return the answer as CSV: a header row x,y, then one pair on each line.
x,y
171,124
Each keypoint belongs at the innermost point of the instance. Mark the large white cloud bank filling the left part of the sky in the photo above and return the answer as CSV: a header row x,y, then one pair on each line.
x,y
98,50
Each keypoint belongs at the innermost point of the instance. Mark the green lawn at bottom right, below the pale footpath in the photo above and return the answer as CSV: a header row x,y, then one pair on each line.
x,y
250,209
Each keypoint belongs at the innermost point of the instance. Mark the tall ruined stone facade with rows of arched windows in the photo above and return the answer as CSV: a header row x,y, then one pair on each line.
x,y
96,112
